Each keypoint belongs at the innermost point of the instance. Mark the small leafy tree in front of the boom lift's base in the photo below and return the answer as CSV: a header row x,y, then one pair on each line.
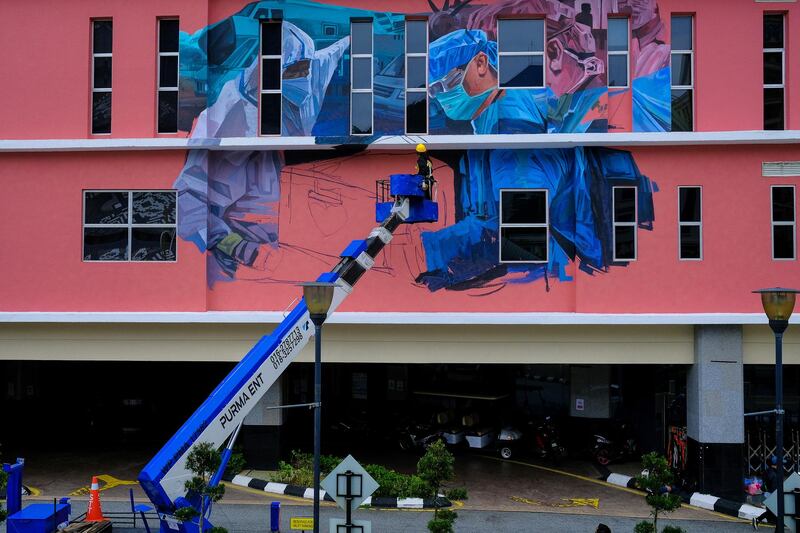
x,y
203,461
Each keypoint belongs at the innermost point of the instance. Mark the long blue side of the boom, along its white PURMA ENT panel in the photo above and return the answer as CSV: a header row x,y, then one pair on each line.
x,y
152,474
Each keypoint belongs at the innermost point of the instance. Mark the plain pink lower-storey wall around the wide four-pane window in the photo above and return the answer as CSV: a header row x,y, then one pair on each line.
x,y
41,232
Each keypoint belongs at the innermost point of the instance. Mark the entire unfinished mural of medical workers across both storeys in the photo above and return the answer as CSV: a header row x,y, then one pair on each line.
x,y
230,201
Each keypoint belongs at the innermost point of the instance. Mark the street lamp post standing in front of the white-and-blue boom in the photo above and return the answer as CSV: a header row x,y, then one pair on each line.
x,y
318,296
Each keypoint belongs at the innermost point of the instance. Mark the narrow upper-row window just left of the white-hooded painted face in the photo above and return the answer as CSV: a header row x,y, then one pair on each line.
x,y
270,107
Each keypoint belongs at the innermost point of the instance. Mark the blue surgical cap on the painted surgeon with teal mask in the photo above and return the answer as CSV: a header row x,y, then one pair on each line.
x,y
458,48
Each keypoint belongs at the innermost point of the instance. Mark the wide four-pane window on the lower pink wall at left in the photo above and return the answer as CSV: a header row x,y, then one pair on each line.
x,y
129,225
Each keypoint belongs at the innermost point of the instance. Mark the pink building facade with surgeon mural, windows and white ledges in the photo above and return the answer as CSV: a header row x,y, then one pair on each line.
x,y
604,169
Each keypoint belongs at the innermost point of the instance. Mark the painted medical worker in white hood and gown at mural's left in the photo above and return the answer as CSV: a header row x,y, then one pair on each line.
x,y
228,200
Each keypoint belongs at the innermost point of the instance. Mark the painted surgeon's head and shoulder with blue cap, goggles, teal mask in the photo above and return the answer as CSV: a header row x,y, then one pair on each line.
x,y
462,69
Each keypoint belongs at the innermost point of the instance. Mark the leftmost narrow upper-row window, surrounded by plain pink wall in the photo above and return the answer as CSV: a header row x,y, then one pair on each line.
x,y
102,38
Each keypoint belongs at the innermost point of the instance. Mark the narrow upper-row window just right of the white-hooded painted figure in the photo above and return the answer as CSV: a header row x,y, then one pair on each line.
x,y
361,78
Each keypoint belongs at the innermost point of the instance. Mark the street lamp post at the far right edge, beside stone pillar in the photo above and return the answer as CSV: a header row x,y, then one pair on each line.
x,y
778,305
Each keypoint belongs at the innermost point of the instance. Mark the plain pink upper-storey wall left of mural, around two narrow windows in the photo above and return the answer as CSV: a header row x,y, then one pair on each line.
x,y
46,86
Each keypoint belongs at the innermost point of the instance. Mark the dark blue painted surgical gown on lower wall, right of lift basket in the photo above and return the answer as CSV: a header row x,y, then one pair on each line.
x,y
578,181
